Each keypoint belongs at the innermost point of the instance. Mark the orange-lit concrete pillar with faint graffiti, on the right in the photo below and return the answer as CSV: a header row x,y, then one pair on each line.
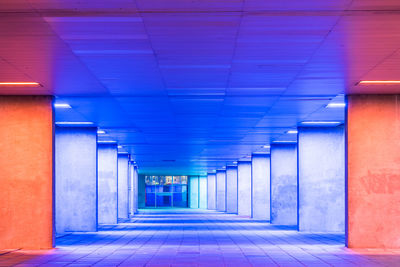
x,y
373,179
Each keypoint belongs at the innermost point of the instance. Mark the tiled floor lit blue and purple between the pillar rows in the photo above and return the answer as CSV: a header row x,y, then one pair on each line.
x,y
199,238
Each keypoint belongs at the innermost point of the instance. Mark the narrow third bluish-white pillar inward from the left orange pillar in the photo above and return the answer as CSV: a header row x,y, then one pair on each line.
x,y
123,182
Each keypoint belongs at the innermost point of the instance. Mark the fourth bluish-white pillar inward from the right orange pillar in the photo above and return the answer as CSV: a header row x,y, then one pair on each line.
x,y
244,188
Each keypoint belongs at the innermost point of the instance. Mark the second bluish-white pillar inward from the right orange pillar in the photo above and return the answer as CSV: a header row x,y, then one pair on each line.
x,y
284,184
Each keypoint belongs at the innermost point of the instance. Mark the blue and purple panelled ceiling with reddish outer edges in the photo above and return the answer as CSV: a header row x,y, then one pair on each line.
x,y
190,86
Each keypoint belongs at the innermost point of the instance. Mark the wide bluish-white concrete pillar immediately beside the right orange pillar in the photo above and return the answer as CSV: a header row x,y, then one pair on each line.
x,y
321,179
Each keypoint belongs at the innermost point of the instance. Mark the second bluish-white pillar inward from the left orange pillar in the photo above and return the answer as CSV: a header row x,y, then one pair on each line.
x,y
107,183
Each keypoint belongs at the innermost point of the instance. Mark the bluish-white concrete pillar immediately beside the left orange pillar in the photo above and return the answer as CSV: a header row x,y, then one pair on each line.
x,y
76,179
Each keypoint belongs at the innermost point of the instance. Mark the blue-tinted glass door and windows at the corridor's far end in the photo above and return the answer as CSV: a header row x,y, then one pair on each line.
x,y
166,191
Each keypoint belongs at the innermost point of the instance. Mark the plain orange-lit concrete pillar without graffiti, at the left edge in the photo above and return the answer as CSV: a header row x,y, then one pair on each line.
x,y
26,172
